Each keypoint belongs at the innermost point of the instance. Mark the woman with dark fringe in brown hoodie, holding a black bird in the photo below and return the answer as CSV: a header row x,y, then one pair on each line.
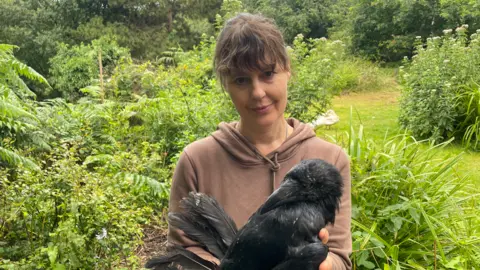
x,y
243,162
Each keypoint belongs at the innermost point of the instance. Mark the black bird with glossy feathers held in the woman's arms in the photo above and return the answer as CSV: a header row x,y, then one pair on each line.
x,y
282,234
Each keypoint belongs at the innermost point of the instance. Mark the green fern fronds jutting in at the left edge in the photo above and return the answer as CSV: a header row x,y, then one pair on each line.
x,y
18,129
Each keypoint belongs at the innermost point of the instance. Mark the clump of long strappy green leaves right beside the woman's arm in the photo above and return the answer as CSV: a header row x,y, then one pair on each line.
x,y
410,210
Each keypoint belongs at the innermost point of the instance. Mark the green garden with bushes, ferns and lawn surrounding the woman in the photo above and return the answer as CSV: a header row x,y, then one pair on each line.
x,y
99,97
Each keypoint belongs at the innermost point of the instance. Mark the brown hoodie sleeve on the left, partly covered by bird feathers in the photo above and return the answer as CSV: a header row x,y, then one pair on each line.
x,y
184,181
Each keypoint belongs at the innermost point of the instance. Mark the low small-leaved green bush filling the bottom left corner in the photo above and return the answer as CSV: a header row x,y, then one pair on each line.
x,y
71,218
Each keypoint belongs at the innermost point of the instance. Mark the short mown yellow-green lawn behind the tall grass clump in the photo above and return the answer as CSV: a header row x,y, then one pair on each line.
x,y
378,112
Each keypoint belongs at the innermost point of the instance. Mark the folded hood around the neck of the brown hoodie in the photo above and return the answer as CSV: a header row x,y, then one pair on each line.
x,y
233,142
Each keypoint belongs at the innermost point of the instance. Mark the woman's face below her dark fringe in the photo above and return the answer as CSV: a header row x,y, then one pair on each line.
x,y
260,97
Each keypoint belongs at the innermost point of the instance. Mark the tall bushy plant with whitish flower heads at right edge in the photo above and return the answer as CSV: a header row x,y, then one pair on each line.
x,y
441,97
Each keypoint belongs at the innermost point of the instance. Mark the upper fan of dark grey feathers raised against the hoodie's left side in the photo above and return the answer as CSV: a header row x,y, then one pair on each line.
x,y
204,220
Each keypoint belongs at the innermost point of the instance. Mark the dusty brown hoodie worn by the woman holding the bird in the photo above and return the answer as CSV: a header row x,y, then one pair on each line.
x,y
228,167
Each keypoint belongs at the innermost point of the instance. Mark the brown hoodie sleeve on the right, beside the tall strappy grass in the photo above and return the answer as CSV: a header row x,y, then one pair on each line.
x,y
340,237
